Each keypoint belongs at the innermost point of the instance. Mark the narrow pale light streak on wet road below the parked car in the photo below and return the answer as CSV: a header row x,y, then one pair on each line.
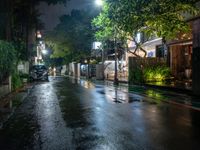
x,y
53,131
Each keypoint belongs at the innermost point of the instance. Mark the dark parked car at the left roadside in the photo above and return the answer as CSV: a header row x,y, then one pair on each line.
x,y
39,72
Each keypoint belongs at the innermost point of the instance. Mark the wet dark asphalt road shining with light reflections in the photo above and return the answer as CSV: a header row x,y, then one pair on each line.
x,y
69,114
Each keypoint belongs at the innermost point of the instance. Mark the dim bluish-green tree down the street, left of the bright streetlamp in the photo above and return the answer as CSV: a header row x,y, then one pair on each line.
x,y
72,37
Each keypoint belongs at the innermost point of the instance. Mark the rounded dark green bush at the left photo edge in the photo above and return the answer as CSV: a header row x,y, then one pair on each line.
x,y
7,59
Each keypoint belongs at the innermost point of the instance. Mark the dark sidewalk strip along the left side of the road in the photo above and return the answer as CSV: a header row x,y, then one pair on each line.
x,y
9,103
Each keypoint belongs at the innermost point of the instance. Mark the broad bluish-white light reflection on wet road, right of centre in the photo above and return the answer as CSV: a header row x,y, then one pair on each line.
x,y
120,125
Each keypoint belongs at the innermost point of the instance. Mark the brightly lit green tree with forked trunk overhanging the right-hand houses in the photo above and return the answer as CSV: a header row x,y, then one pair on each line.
x,y
163,18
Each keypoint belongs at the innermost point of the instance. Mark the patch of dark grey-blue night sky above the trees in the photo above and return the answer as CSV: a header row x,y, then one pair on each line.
x,y
50,14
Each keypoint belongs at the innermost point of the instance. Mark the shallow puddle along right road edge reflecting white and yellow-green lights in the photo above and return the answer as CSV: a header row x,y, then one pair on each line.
x,y
128,94
